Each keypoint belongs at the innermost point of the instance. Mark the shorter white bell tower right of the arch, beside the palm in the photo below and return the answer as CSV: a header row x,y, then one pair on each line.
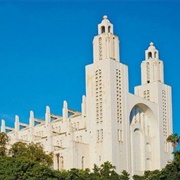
x,y
153,89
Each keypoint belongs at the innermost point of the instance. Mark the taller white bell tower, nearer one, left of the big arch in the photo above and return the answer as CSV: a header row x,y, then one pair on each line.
x,y
106,95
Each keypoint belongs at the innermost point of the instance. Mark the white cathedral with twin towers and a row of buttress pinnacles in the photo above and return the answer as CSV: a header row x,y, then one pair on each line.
x,y
128,130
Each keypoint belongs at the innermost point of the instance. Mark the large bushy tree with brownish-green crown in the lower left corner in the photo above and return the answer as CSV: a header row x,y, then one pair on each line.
x,y
26,161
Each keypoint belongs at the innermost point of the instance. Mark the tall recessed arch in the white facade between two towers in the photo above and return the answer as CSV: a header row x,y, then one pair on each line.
x,y
143,126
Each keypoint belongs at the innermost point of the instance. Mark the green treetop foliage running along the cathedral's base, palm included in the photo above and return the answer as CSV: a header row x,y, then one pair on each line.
x,y
29,162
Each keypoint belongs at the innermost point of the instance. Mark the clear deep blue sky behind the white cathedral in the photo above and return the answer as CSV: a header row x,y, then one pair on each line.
x,y
46,44
